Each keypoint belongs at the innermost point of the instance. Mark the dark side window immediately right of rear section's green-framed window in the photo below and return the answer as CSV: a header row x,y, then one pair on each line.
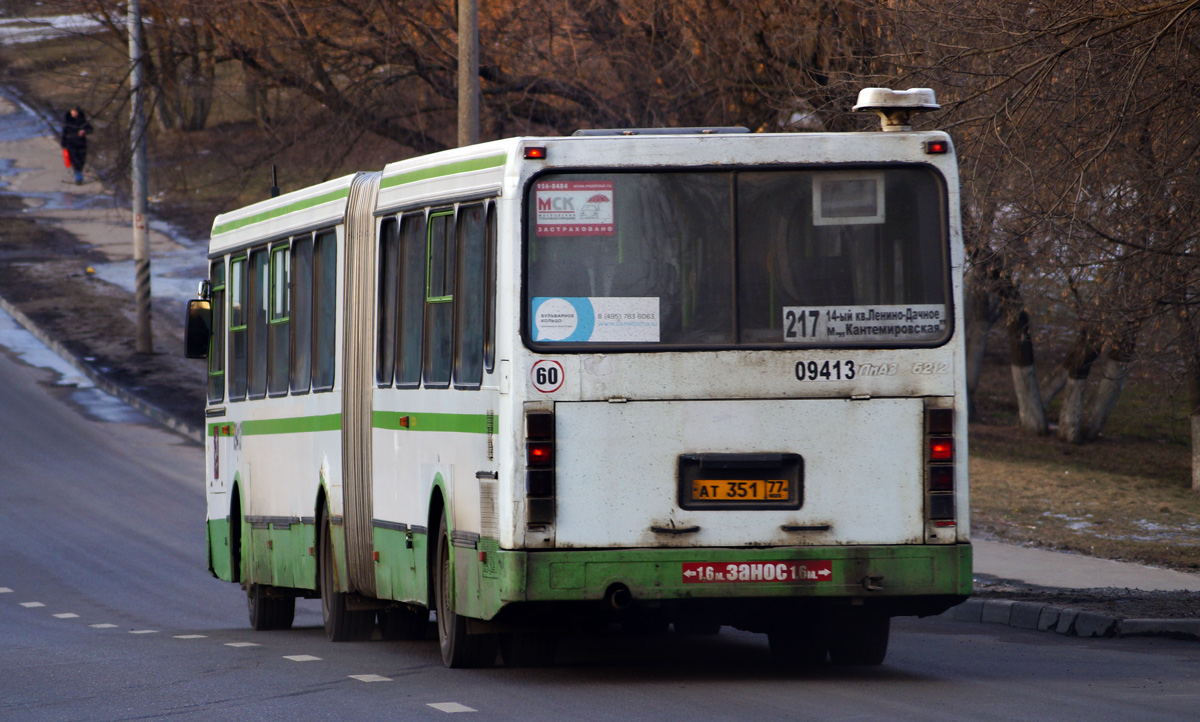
x,y
469,326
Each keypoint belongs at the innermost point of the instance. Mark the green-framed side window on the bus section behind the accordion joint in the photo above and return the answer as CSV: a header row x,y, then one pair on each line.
x,y
440,302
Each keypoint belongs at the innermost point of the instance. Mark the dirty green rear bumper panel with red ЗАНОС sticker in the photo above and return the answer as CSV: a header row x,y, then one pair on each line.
x,y
891,571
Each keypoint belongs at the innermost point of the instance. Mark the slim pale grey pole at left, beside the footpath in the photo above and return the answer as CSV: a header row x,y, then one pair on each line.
x,y
139,164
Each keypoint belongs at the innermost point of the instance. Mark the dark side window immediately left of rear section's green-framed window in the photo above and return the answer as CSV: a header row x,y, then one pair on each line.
x,y
412,300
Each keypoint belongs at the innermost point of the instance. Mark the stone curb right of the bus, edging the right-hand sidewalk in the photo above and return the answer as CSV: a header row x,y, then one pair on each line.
x,y
1070,622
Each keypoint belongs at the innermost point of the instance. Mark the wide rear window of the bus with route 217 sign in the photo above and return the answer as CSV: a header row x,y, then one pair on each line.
x,y
817,258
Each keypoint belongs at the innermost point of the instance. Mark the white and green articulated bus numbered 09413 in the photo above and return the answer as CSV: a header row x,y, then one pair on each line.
x,y
647,378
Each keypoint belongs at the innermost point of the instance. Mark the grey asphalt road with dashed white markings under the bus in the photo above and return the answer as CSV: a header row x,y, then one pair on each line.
x,y
107,612
